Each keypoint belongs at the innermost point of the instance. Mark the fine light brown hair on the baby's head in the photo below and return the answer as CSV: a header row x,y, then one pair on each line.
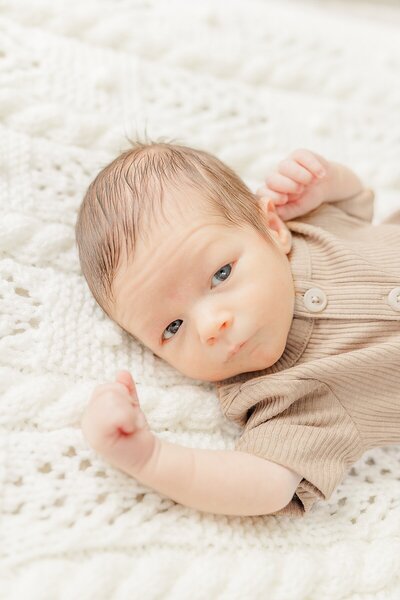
x,y
117,207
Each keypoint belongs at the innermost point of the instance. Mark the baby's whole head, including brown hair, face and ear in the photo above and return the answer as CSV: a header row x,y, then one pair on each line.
x,y
177,250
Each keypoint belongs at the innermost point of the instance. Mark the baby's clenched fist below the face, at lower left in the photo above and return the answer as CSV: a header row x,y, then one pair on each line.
x,y
115,426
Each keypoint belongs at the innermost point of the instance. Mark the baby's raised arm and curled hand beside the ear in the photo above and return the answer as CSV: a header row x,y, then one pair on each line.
x,y
303,181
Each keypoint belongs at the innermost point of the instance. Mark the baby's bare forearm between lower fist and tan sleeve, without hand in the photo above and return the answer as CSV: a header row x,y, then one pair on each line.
x,y
219,481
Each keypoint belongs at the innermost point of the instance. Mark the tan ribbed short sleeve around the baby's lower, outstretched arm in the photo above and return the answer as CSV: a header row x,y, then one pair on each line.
x,y
299,424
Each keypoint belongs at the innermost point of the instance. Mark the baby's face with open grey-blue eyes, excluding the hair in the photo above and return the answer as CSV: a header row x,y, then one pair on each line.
x,y
197,288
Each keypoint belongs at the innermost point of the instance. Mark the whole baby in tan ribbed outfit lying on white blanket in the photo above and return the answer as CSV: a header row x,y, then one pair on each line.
x,y
296,321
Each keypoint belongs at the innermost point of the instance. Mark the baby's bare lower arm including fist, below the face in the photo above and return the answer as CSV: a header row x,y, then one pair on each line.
x,y
218,481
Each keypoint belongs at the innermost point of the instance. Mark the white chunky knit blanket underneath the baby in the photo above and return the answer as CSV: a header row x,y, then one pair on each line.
x,y
249,81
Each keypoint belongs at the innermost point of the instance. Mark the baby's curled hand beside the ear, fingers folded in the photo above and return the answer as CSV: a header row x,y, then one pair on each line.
x,y
298,185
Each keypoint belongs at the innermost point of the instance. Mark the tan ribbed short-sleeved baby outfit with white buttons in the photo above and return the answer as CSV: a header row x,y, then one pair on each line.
x,y
335,391
